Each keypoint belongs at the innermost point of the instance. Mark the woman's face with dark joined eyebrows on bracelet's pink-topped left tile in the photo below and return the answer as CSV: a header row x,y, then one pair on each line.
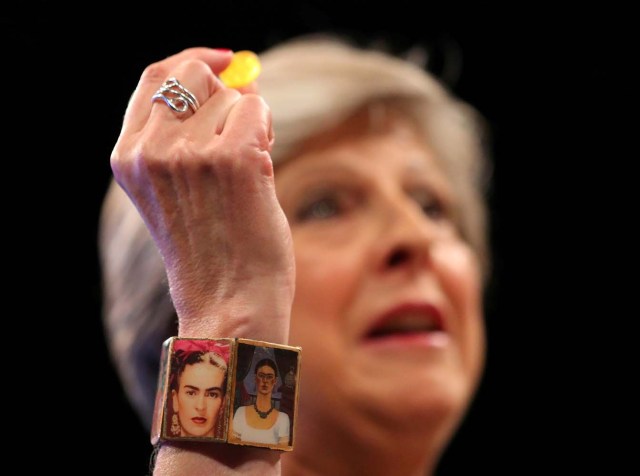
x,y
198,398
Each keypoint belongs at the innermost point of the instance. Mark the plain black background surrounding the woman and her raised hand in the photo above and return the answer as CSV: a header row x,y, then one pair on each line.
x,y
549,82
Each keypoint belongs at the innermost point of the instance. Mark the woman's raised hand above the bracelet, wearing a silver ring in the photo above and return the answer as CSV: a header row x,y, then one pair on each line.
x,y
203,183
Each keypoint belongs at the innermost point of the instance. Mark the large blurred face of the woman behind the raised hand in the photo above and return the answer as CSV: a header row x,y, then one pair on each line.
x,y
388,296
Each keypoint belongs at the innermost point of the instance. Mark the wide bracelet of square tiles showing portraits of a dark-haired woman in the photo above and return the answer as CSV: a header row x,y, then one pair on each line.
x,y
230,390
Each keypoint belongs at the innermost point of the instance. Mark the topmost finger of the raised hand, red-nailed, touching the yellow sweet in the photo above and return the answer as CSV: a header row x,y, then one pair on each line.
x,y
139,106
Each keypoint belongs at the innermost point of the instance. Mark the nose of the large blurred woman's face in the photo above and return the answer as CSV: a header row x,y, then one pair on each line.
x,y
406,237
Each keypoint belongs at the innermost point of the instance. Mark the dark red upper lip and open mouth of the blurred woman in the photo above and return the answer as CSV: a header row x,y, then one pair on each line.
x,y
407,319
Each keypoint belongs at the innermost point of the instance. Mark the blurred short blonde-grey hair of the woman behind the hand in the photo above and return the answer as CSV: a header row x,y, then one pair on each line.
x,y
311,84
